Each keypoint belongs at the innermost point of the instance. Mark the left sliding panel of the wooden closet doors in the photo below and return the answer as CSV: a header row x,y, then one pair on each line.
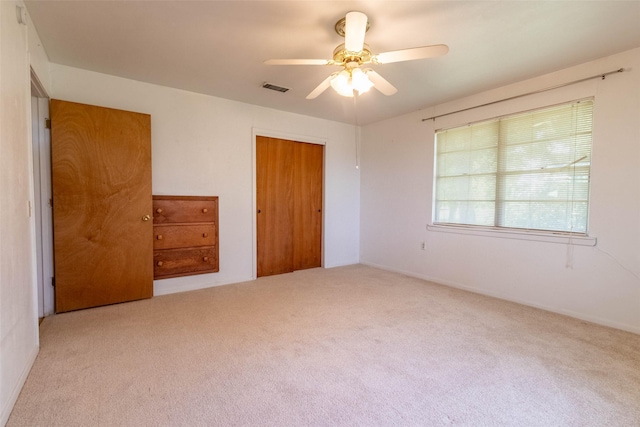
x,y
274,177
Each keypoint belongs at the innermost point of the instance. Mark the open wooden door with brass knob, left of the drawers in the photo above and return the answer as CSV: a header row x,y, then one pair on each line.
x,y
101,177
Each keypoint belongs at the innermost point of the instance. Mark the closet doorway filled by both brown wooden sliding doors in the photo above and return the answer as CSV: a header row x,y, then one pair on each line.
x,y
289,177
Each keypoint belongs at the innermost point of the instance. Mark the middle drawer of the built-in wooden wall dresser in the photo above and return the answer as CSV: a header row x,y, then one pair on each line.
x,y
183,236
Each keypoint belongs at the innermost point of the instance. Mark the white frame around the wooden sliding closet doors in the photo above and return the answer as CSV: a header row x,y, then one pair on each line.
x,y
256,132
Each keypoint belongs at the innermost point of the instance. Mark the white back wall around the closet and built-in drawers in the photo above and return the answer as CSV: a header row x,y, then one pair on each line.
x,y
202,145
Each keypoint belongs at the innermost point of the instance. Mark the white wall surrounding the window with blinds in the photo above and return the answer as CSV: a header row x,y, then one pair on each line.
x,y
600,283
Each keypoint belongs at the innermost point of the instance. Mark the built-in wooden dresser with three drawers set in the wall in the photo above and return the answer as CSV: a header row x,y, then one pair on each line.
x,y
185,235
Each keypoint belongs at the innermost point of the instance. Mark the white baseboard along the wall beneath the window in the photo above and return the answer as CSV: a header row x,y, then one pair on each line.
x,y
576,315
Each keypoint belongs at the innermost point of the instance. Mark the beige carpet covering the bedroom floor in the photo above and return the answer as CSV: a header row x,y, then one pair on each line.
x,y
352,346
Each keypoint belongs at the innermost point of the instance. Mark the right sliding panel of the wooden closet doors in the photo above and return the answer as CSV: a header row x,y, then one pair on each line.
x,y
307,205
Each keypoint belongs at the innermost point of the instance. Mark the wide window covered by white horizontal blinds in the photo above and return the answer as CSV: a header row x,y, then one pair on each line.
x,y
524,171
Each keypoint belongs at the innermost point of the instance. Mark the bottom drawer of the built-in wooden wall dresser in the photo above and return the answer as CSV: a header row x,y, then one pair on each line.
x,y
182,262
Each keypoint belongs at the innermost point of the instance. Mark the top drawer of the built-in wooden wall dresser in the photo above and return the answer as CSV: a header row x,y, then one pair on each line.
x,y
174,209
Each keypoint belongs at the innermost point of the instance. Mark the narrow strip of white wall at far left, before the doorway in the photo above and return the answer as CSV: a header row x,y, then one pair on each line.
x,y
18,299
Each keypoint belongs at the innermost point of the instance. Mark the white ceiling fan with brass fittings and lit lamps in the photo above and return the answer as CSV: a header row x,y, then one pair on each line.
x,y
353,54
